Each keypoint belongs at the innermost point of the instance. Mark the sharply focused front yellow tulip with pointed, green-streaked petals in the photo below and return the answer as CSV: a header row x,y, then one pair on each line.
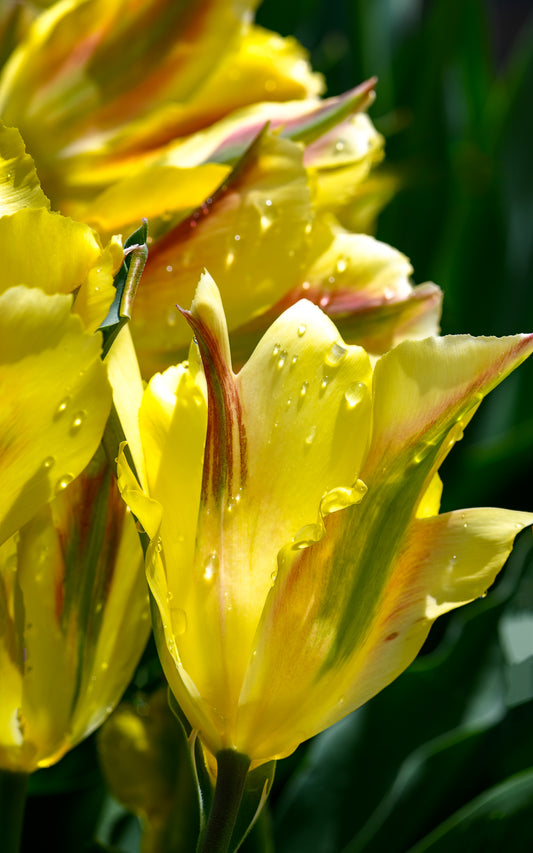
x,y
297,557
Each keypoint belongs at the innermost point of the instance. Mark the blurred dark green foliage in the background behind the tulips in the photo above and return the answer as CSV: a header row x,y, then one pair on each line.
x,y
442,759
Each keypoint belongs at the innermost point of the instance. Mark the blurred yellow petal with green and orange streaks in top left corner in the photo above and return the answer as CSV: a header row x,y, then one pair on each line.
x,y
88,71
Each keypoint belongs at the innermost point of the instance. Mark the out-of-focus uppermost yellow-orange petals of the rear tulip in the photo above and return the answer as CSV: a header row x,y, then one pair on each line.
x,y
97,85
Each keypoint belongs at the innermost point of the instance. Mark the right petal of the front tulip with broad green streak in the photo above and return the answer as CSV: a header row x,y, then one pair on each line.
x,y
333,592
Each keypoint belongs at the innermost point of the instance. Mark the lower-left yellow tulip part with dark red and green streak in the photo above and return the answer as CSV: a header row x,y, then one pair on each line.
x,y
75,620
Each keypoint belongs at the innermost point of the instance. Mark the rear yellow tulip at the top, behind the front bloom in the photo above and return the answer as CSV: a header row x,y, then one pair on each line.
x,y
184,143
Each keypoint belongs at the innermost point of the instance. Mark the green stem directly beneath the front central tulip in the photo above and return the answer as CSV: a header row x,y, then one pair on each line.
x,y
232,770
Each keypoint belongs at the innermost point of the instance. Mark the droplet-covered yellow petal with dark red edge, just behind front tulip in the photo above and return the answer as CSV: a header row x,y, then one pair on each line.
x,y
252,236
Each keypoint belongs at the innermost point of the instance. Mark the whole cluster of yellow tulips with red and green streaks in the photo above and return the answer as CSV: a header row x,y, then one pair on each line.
x,y
272,445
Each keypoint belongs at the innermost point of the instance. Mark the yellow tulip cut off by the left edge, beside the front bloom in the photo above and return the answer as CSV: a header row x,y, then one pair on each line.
x,y
73,608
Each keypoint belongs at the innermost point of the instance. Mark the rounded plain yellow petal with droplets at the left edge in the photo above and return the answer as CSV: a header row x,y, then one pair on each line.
x,y
55,401
